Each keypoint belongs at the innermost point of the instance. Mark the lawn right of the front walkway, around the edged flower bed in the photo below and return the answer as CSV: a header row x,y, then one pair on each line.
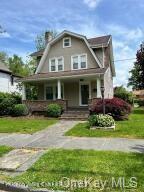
x,y
132,128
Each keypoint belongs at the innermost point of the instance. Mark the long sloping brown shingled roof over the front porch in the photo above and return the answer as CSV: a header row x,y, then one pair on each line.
x,y
64,74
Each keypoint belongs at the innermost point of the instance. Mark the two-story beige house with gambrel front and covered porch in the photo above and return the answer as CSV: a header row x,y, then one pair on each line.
x,y
71,70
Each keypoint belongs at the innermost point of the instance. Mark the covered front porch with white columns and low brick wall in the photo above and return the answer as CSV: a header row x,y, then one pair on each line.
x,y
70,93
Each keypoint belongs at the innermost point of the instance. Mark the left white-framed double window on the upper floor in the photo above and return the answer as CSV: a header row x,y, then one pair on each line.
x,y
56,64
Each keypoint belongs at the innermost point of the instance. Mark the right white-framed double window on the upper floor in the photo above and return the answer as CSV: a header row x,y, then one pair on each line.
x,y
79,62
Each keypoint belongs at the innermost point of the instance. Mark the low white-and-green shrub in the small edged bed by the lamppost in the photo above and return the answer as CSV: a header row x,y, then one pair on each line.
x,y
101,120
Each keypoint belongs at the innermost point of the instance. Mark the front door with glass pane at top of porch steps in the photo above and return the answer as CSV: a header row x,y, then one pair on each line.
x,y
84,94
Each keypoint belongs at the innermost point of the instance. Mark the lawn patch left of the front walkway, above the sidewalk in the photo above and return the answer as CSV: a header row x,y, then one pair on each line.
x,y
24,125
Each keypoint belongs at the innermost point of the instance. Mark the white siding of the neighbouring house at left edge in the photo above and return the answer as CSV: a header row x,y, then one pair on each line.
x,y
5,84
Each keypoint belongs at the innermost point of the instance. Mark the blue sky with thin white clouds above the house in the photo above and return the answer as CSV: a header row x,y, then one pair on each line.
x,y
23,20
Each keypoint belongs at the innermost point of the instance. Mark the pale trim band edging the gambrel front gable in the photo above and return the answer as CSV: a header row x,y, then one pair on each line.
x,y
59,37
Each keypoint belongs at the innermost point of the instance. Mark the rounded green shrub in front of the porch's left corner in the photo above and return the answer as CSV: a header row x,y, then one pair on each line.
x,y
20,110
